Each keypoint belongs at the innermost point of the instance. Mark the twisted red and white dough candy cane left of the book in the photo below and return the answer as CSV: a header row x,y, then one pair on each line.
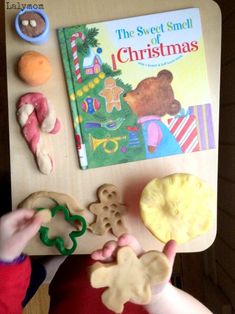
x,y
34,114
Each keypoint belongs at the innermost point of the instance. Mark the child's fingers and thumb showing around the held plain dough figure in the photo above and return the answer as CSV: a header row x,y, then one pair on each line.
x,y
109,250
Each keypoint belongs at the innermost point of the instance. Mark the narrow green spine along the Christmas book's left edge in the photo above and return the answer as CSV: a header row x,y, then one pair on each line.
x,y
72,98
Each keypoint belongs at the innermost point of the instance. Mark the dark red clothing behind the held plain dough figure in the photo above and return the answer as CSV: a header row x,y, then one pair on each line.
x,y
71,292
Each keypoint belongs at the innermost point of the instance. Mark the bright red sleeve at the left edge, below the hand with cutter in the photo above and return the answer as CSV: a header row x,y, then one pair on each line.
x,y
14,281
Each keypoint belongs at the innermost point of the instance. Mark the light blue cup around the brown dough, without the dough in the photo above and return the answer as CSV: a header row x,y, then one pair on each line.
x,y
40,39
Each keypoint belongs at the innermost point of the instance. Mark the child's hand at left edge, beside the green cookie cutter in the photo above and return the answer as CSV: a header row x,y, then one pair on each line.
x,y
16,229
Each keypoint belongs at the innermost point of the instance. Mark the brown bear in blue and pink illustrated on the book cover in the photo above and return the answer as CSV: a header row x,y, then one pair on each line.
x,y
152,99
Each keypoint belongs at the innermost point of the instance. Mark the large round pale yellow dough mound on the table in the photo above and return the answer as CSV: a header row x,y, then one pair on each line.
x,y
177,207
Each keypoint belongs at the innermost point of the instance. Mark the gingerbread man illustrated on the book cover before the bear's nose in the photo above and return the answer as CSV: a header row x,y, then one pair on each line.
x,y
111,93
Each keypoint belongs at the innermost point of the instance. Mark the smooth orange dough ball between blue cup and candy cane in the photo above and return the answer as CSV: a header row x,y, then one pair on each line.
x,y
34,68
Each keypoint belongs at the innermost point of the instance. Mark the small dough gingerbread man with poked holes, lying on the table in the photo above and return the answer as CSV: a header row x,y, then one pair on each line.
x,y
109,212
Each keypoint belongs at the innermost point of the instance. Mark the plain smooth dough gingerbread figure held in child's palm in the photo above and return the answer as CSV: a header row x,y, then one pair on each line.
x,y
130,278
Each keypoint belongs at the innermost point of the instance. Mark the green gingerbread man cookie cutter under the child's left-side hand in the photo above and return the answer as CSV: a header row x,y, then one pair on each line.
x,y
58,241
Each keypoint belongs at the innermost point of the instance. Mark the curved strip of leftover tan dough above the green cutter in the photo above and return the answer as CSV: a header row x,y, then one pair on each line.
x,y
58,198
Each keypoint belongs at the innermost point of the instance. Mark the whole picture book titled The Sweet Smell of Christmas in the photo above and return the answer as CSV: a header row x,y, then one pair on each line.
x,y
138,87
